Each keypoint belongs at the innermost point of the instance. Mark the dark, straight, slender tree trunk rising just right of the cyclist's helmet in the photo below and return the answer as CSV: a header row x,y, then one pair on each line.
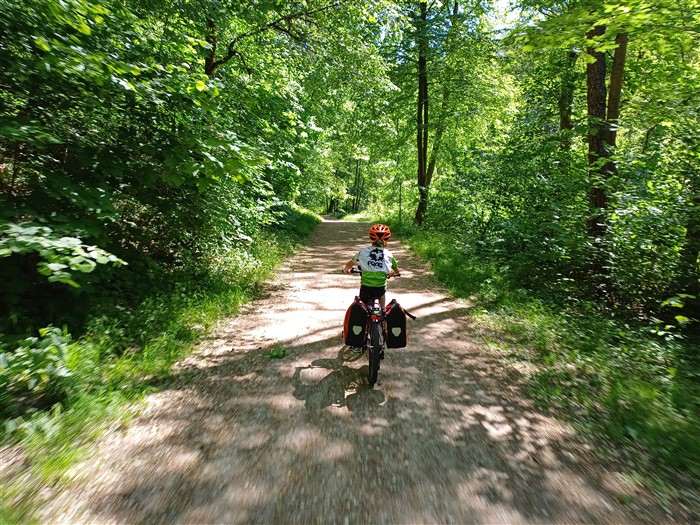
x,y
422,115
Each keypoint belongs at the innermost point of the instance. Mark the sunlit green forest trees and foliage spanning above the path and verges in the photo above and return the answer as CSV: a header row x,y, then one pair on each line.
x,y
163,133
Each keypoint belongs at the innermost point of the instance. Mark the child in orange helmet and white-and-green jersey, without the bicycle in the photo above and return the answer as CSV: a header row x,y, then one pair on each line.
x,y
377,263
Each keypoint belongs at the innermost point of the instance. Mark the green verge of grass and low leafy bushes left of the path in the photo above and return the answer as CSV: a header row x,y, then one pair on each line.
x,y
81,387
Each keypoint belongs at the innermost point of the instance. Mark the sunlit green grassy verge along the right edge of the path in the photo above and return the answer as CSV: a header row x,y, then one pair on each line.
x,y
625,381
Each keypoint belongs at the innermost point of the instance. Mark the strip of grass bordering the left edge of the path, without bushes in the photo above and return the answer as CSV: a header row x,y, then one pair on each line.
x,y
126,355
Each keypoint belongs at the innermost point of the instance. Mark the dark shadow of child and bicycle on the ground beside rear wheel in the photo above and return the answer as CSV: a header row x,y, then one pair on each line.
x,y
344,386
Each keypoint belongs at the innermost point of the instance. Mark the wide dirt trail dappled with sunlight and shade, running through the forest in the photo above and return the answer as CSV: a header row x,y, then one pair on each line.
x,y
444,436
